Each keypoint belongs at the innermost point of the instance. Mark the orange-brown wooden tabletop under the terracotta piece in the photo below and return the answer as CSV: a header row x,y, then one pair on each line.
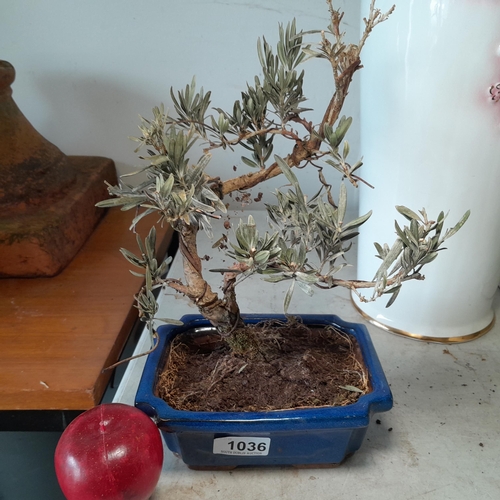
x,y
57,334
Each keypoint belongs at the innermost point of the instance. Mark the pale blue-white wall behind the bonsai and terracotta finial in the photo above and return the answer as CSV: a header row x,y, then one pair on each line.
x,y
86,69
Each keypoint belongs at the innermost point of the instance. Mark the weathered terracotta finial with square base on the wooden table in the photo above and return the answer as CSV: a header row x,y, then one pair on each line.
x,y
47,199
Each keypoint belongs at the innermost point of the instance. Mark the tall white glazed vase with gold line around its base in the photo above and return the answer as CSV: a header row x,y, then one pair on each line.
x,y
430,137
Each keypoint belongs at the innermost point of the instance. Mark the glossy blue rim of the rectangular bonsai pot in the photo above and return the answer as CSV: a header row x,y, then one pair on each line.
x,y
353,415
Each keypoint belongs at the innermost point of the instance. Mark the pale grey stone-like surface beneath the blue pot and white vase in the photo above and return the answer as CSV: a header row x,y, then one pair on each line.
x,y
441,441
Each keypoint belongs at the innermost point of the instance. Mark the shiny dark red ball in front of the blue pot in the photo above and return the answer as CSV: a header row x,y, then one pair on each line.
x,y
111,452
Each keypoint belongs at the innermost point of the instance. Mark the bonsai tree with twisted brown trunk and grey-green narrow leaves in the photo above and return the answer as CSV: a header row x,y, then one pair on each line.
x,y
311,236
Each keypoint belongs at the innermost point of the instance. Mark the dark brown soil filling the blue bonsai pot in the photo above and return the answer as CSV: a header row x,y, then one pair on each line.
x,y
294,367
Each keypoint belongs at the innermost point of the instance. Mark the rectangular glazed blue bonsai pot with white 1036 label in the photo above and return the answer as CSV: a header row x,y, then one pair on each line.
x,y
302,437
